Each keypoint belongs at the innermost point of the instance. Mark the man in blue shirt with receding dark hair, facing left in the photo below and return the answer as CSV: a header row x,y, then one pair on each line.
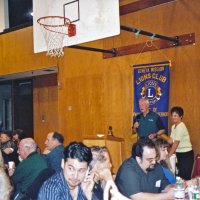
x,y
54,150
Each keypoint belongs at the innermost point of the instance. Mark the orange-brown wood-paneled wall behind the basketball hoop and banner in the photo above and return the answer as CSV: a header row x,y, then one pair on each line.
x,y
100,91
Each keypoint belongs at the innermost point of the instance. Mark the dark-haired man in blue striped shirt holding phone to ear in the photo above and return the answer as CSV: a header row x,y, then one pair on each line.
x,y
73,182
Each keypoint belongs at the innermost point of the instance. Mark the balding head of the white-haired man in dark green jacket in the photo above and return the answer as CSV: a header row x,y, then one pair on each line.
x,y
26,147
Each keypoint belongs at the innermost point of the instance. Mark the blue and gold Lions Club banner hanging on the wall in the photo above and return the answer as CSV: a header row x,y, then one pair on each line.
x,y
152,81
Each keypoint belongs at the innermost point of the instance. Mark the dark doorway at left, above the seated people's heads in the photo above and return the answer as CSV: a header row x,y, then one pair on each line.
x,y
16,106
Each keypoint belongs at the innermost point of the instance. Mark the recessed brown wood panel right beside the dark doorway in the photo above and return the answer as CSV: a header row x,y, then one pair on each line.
x,y
45,104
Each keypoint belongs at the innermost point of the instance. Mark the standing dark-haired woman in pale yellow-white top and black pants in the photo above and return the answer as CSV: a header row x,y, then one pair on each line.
x,y
181,144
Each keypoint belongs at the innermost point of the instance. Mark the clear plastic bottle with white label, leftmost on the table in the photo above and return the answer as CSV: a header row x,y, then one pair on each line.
x,y
179,190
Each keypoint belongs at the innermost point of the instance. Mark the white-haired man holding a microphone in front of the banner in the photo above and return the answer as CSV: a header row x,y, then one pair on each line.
x,y
148,123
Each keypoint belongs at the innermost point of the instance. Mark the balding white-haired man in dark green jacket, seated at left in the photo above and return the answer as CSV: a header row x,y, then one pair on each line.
x,y
29,169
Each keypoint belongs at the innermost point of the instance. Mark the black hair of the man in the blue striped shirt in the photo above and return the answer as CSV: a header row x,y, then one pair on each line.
x,y
77,150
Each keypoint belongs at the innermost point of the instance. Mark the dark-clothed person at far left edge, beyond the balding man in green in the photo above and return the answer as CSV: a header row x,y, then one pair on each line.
x,y
8,147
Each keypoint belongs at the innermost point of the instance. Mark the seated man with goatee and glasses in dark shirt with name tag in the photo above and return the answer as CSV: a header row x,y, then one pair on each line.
x,y
140,177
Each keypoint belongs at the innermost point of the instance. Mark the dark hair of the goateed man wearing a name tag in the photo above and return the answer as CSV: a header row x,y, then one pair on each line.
x,y
138,147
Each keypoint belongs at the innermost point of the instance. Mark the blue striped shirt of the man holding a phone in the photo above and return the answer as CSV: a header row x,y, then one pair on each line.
x,y
56,188
